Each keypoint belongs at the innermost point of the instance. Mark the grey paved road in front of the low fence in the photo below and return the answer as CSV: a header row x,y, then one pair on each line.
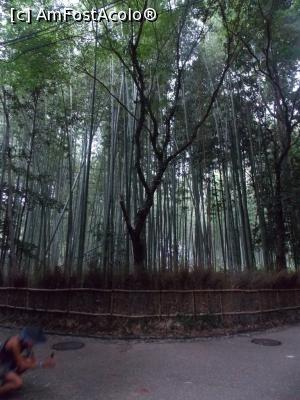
x,y
228,368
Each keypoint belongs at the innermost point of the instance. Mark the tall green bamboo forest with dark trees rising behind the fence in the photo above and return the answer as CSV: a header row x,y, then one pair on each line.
x,y
152,146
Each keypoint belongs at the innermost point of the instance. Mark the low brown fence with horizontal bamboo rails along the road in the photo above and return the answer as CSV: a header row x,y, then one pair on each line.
x,y
156,303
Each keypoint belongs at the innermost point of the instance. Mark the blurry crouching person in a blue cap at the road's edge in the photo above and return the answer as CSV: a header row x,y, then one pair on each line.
x,y
16,357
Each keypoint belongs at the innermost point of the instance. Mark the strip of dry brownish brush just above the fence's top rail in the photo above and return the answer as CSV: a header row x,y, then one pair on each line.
x,y
196,279
